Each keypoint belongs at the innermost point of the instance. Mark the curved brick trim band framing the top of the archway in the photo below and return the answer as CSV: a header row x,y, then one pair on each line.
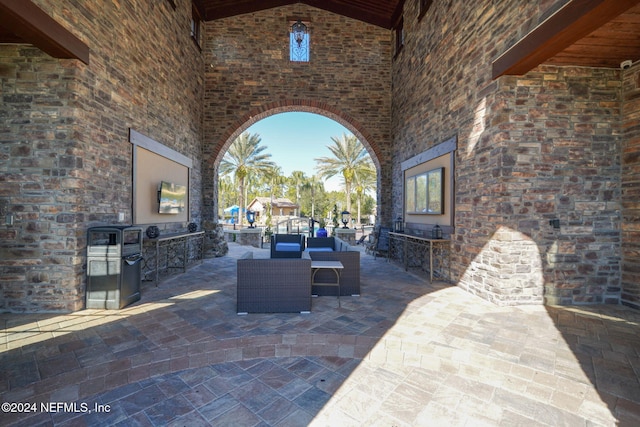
x,y
297,105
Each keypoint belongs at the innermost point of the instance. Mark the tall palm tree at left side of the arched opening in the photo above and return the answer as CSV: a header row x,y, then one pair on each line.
x,y
245,157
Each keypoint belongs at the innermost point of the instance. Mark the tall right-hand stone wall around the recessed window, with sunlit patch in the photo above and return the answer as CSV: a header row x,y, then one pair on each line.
x,y
530,149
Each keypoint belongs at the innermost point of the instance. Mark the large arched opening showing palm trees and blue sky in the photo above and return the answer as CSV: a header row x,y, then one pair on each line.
x,y
295,165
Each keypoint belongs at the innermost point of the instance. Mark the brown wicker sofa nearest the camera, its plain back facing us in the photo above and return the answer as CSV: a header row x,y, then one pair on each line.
x,y
273,285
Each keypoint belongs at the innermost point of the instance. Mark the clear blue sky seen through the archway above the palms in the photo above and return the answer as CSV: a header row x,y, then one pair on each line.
x,y
294,140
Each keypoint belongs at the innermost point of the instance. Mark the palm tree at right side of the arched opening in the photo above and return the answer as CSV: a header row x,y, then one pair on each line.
x,y
349,157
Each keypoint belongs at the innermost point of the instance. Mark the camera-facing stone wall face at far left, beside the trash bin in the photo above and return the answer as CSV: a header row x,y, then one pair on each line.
x,y
40,264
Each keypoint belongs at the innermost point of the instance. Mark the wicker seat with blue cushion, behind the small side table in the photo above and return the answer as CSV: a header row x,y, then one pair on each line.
x,y
343,252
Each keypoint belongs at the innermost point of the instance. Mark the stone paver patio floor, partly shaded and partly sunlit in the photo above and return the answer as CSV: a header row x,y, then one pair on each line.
x,y
404,353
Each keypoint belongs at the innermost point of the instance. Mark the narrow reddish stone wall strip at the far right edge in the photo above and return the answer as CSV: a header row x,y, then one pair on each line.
x,y
631,188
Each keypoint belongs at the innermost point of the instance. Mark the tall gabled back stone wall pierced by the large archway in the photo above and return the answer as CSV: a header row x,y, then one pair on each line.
x,y
249,77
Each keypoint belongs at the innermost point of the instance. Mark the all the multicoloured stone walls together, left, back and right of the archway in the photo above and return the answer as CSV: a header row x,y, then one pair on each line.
x,y
552,144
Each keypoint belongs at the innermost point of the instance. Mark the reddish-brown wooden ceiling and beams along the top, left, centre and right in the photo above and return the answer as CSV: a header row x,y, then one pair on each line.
x,y
593,33
